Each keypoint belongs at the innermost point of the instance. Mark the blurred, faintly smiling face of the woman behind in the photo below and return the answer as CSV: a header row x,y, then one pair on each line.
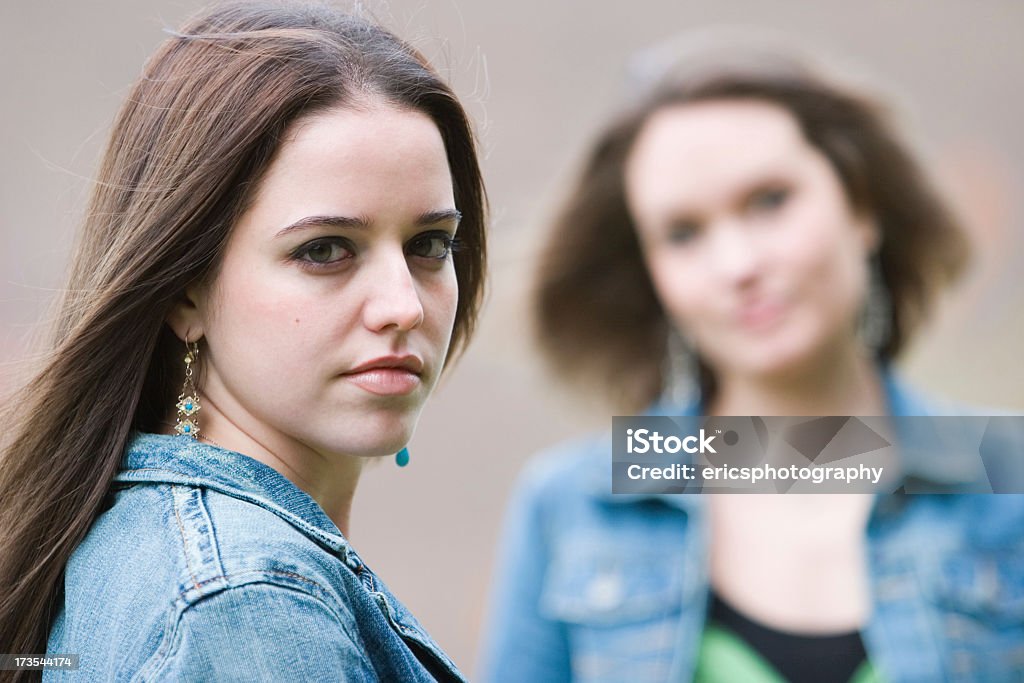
x,y
751,243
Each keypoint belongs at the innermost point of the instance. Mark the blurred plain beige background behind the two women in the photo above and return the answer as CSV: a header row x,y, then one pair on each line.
x,y
539,78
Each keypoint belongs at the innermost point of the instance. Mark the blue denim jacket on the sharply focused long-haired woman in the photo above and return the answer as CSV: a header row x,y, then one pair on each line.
x,y
209,566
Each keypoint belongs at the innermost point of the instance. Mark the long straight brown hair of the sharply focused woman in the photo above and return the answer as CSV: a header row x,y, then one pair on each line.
x,y
189,148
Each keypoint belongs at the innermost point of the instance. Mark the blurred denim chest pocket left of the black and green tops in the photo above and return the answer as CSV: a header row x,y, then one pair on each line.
x,y
621,608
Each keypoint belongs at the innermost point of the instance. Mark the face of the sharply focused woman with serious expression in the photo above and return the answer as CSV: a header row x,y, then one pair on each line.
x,y
330,319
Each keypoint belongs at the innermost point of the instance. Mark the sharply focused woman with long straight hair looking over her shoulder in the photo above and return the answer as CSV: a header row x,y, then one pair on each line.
x,y
266,291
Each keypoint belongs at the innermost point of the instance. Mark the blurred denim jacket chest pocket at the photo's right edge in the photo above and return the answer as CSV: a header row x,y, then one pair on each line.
x,y
980,602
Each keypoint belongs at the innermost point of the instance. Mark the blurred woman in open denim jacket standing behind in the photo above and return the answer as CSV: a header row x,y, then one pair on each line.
x,y
751,237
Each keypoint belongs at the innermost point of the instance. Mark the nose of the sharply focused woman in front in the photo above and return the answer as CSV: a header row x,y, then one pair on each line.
x,y
393,298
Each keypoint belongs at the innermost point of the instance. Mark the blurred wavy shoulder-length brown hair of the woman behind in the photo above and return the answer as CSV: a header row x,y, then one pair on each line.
x,y
598,319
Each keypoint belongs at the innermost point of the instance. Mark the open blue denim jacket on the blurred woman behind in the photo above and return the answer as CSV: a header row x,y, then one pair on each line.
x,y
600,588
